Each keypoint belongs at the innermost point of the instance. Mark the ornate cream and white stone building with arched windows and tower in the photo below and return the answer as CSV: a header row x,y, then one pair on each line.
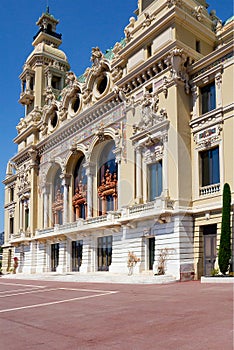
x,y
122,157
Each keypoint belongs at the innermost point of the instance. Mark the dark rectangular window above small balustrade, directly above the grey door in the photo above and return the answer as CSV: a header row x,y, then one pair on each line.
x,y
210,167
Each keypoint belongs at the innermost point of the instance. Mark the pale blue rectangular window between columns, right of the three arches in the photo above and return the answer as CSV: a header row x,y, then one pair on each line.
x,y
155,180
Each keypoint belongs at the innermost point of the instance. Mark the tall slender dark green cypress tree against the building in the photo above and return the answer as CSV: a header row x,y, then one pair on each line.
x,y
225,239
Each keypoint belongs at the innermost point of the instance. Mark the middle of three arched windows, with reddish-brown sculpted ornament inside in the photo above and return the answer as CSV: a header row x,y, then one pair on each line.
x,y
80,190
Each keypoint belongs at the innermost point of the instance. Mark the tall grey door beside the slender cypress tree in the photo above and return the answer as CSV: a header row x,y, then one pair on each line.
x,y
209,232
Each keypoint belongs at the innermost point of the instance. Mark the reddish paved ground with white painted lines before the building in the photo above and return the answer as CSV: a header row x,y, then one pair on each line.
x,y
179,316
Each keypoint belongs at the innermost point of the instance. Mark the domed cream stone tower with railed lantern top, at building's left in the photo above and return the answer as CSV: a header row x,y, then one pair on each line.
x,y
46,66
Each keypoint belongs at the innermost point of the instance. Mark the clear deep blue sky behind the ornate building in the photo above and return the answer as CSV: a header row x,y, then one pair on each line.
x,y
83,24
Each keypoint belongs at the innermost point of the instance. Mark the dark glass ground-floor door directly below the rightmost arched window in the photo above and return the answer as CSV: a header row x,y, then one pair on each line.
x,y
104,253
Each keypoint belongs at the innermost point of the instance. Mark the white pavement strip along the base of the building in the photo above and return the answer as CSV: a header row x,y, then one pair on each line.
x,y
98,277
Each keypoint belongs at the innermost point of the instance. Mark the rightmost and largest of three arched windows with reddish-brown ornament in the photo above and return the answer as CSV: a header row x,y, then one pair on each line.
x,y
107,179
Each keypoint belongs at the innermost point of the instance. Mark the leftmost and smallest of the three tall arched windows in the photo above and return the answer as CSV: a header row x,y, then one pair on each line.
x,y
57,205
